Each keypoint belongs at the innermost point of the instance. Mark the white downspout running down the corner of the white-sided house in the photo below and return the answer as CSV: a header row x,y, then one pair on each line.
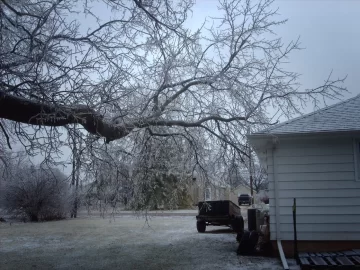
x,y
277,211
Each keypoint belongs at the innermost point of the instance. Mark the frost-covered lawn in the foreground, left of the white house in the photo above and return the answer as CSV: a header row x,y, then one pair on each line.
x,y
128,242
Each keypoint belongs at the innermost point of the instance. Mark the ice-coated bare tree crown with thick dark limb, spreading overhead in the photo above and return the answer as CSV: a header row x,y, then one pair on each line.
x,y
124,70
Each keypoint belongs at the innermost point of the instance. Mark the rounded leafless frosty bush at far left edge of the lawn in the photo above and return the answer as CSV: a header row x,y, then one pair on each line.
x,y
38,195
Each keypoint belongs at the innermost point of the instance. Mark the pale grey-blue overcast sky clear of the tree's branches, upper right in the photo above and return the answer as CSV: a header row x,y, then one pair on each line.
x,y
329,32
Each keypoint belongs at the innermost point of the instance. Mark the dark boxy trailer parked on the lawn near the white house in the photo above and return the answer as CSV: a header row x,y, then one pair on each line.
x,y
219,213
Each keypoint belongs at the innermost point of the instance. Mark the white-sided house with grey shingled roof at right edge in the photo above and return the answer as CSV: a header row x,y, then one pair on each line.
x,y
314,158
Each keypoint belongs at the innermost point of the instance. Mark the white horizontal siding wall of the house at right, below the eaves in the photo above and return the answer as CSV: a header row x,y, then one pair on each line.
x,y
320,174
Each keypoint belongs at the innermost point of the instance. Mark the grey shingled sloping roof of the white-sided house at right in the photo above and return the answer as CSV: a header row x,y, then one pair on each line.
x,y
343,116
